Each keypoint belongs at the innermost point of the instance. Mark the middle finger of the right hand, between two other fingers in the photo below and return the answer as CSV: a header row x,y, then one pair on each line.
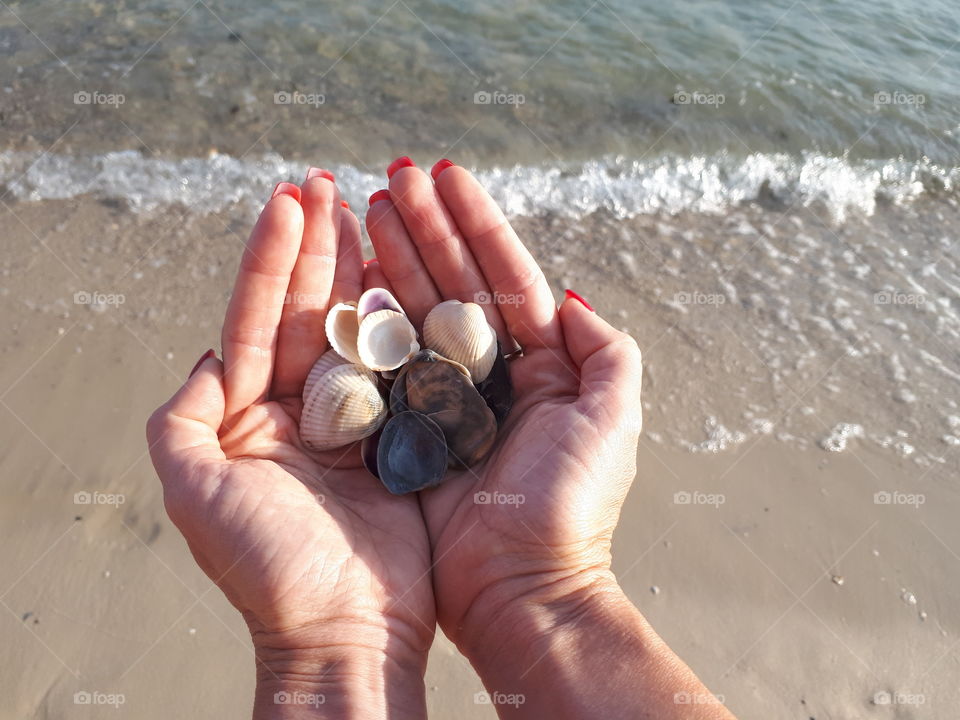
x,y
447,258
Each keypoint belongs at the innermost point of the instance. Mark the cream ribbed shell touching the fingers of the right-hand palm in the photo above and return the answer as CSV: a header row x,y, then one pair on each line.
x,y
459,331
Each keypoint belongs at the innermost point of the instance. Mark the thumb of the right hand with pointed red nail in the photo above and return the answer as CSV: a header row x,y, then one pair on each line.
x,y
610,366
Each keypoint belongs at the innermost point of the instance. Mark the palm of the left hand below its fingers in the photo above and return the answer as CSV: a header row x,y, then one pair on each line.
x,y
292,536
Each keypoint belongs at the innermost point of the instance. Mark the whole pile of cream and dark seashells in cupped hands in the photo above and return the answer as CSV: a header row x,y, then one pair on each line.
x,y
418,412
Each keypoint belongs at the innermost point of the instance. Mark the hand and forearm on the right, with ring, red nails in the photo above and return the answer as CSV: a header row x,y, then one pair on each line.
x,y
521,542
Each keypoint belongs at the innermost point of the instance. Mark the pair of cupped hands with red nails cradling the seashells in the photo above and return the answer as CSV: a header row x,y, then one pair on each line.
x,y
340,582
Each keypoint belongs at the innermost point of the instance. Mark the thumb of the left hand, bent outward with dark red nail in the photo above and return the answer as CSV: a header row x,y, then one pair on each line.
x,y
183,431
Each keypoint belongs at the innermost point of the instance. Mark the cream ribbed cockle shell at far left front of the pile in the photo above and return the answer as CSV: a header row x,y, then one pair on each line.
x,y
344,406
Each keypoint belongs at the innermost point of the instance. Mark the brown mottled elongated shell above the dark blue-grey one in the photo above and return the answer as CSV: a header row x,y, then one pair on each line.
x,y
444,394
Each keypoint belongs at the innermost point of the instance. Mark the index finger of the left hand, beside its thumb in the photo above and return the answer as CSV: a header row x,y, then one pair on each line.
x,y
250,328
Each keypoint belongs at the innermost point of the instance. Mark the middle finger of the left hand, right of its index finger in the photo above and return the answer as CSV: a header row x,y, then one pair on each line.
x,y
301,339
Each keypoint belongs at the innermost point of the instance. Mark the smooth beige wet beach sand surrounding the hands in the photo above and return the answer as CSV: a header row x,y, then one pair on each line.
x,y
783,582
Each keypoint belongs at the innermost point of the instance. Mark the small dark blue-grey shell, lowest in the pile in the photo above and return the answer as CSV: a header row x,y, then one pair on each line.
x,y
411,454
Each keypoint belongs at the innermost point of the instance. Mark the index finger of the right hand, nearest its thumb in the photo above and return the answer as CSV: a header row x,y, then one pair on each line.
x,y
518,285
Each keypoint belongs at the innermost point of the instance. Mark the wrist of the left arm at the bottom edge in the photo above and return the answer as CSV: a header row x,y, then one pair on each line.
x,y
346,671
